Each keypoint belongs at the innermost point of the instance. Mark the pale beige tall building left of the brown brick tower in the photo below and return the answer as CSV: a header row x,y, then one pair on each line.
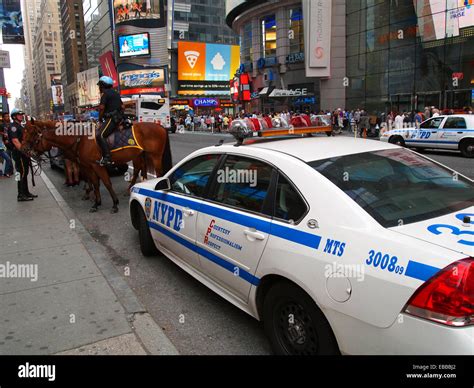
x,y
47,55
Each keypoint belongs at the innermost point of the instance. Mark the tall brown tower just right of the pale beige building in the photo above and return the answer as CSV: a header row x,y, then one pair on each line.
x,y
75,53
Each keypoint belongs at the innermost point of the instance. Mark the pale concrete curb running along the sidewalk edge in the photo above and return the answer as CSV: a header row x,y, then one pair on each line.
x,y
149,333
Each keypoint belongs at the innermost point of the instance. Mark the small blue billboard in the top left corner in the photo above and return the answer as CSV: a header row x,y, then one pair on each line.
x,y
12,22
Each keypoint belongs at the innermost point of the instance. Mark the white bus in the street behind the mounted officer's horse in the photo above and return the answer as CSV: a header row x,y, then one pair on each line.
x,y
150,109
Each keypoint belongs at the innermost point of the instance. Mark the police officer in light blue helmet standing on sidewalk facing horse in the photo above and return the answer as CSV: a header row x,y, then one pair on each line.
x,y
22,162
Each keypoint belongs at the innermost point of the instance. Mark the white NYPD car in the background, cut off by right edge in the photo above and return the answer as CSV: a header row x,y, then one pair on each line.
x,y
455,132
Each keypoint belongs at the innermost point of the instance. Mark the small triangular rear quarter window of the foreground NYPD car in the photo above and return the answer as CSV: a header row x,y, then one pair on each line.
x,y
289,205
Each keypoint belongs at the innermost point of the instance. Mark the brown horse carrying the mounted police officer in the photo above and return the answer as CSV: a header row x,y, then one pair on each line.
x,y
151,139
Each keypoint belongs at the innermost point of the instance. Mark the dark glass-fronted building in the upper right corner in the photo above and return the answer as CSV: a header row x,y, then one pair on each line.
x,y
407,54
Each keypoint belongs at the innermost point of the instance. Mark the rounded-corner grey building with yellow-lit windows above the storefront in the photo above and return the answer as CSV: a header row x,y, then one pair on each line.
x,y
272,38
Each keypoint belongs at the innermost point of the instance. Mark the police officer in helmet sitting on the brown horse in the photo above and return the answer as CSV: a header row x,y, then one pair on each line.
x,y
110,114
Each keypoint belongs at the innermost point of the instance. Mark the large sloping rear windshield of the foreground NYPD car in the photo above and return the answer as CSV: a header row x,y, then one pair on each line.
x,y
398,187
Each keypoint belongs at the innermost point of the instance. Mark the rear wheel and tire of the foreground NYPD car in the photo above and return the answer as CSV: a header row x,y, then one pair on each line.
x,y
294,324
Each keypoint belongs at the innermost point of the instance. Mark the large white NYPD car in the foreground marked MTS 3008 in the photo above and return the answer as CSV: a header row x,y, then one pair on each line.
x,y
338,245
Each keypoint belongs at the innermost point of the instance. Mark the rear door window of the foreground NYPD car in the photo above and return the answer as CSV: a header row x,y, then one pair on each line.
x,y
243,183
